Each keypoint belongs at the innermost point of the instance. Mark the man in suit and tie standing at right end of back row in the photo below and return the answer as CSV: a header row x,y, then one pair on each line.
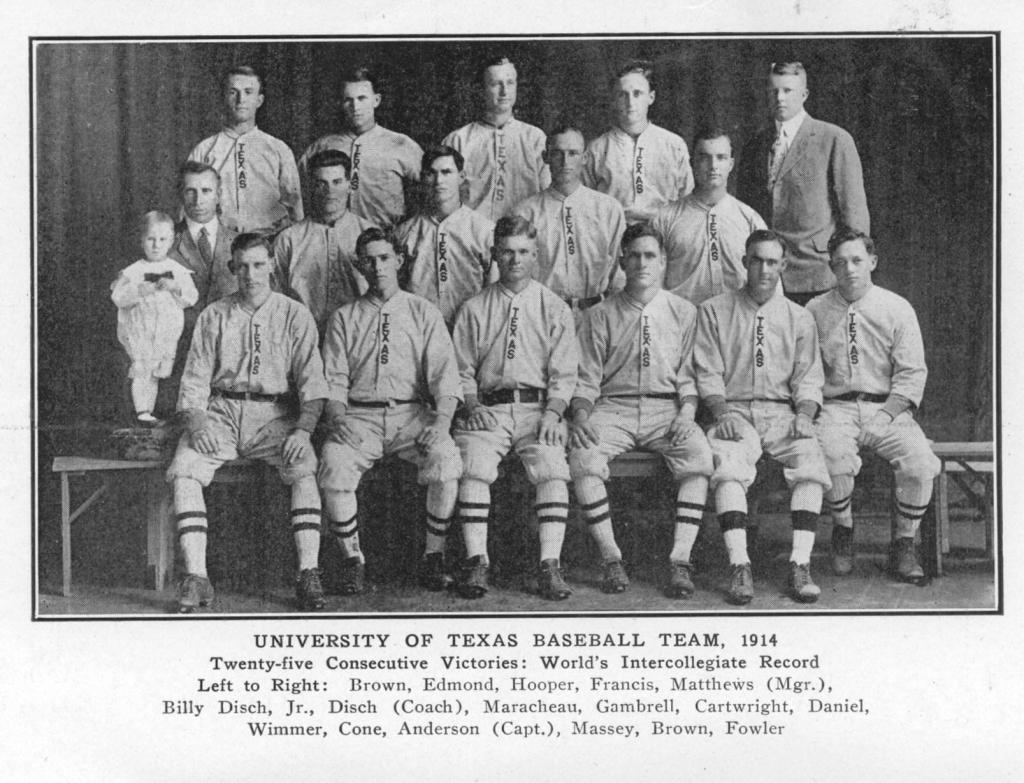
x,y
804,177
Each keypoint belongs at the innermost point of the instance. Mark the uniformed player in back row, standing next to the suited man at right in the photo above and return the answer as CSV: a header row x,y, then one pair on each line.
x,y
642,165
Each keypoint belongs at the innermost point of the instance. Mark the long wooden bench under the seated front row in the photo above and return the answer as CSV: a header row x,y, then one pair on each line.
x,y
957,458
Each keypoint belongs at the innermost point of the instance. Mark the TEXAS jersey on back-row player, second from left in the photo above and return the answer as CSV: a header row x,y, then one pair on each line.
x,y
382,162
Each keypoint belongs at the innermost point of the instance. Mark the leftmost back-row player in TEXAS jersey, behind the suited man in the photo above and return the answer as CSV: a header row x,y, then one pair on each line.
x,y
260,183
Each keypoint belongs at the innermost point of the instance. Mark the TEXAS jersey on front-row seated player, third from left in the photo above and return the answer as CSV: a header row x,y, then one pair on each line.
x,y
515,341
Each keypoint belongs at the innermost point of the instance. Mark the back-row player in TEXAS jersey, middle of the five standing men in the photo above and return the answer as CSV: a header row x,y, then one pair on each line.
x,y
504,156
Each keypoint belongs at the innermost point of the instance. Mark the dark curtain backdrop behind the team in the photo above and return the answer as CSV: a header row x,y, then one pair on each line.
x,y
115,120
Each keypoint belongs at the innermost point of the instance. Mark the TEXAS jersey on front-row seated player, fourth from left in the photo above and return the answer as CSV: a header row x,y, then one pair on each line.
x,y
630,349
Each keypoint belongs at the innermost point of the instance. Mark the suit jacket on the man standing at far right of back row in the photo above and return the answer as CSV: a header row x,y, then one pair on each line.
x,y
820,188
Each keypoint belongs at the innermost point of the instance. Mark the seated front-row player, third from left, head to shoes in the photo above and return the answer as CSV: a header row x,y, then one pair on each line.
x,y
518,359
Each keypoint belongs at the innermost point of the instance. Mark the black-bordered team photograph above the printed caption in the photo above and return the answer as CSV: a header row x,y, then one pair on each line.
x,y
627,326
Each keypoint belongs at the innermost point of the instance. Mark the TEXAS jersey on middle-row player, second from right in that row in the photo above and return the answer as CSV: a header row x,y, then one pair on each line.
x,y
578,241
